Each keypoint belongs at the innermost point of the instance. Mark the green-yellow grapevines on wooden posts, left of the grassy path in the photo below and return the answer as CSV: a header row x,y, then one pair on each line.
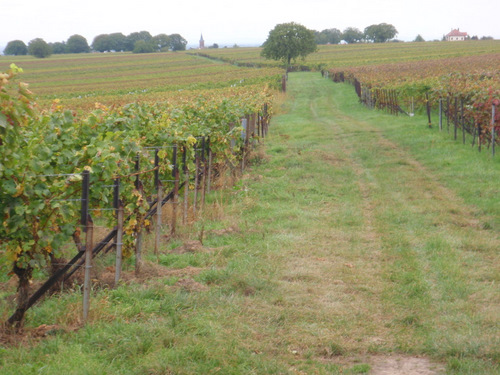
x,y
125,154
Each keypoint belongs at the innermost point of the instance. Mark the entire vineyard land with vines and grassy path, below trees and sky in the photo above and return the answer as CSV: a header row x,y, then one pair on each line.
x,y
134,241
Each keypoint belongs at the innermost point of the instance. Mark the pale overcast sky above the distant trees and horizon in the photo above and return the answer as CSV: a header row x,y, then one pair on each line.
x,y
248,22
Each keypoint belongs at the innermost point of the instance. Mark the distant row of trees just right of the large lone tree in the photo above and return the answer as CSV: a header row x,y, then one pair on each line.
x,y
379,33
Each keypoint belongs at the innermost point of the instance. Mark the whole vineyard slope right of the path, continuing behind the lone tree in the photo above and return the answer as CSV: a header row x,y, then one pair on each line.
x,y
459,82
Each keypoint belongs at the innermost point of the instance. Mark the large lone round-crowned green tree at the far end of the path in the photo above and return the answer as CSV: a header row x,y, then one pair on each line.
x,y
288,41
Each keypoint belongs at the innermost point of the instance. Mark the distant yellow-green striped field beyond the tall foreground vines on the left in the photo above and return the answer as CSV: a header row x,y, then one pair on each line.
x,y
80,81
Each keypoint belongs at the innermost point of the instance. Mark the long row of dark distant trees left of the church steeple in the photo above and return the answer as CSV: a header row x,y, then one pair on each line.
x,y
136,42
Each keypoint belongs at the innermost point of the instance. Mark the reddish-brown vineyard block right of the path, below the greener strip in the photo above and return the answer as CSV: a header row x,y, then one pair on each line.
x,y
465,89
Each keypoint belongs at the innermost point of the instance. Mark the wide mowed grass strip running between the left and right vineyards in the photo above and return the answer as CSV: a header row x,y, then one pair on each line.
x,y
355,236
